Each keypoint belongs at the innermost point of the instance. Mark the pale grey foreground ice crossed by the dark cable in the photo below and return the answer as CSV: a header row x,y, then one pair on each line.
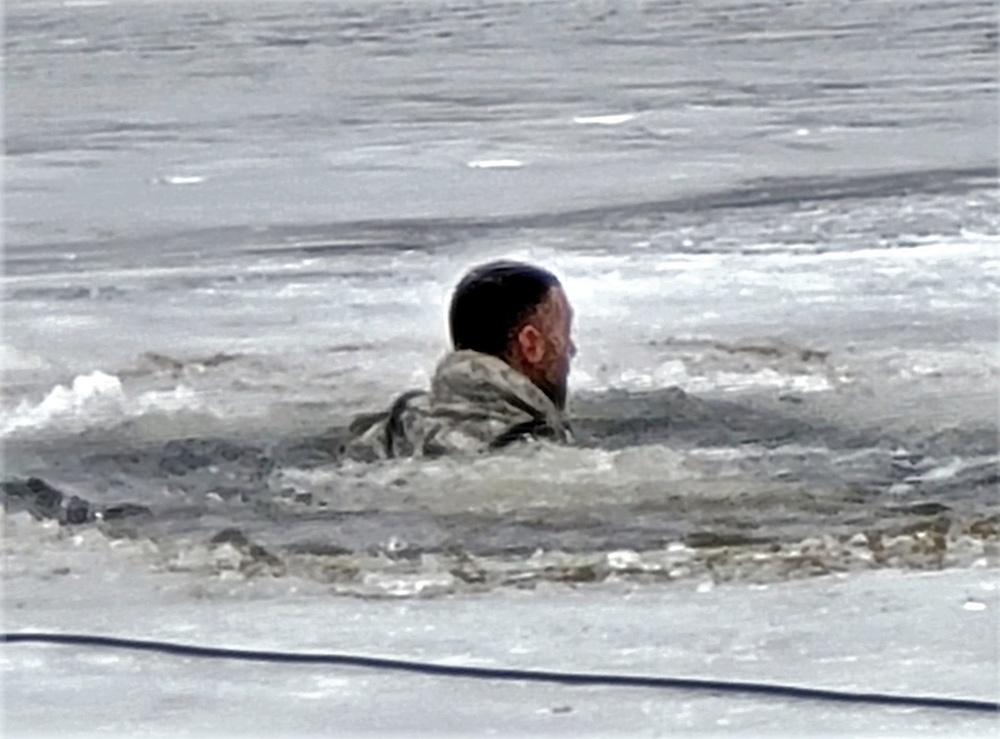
x,y
922,634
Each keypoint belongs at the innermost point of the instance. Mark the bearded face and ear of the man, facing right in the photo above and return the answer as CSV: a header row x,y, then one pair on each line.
x,y
547,346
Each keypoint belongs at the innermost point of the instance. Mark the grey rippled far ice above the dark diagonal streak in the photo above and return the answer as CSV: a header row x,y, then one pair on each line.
x,y
304,112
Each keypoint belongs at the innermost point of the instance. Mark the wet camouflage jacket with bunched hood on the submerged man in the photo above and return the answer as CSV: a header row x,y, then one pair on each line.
x,y
476,403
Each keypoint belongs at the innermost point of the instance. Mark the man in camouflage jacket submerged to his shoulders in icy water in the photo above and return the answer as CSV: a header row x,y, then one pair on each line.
x,y
505,381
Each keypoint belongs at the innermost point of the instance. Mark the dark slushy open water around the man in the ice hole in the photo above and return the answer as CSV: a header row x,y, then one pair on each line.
x,y
739,488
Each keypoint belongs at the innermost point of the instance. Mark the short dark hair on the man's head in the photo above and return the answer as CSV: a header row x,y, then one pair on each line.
x,y
492,301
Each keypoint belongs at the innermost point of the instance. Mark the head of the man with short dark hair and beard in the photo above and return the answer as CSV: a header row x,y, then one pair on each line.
x,y
520,314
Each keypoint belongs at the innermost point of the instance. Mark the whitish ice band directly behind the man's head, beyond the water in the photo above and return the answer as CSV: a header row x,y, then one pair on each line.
x,y
656,294
